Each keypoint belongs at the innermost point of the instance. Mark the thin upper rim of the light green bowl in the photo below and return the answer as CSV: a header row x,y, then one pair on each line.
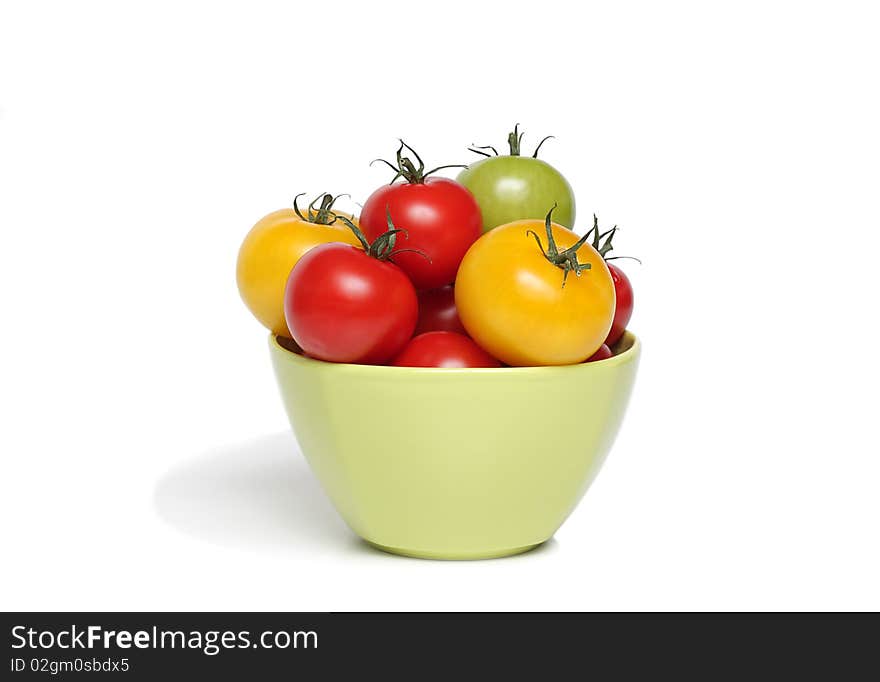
x,y
621,358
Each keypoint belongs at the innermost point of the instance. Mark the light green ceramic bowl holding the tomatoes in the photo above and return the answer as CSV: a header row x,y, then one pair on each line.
x,y
455,463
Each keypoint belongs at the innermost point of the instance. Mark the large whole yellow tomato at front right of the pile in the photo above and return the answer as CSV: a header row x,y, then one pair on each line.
x,y
528,303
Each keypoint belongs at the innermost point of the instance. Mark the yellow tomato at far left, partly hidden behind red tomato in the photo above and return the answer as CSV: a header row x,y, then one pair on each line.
x,y
273,247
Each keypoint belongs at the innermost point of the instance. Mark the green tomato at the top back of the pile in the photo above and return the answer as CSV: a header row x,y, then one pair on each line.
x,y
515,187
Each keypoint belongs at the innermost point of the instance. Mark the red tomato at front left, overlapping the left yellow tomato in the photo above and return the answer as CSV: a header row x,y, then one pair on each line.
x,y
346,304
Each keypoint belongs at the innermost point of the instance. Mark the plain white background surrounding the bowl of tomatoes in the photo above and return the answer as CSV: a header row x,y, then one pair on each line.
x,y
147,462
